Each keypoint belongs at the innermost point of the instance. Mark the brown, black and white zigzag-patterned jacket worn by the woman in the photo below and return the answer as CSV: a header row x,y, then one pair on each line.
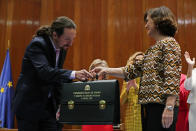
x,y
159,71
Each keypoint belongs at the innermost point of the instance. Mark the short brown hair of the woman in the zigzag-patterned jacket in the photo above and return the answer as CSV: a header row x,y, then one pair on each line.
x,y
163,19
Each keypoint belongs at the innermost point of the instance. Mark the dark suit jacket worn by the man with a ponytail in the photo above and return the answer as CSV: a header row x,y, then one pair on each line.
x,y
38,77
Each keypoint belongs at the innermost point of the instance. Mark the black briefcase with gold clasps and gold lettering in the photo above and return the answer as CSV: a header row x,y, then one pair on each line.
x,y
90,103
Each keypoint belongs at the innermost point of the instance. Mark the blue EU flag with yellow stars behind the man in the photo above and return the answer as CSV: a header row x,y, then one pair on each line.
x,y
6,94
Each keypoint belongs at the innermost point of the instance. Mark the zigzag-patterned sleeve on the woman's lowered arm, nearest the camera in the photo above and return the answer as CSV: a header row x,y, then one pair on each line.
x,y
172,68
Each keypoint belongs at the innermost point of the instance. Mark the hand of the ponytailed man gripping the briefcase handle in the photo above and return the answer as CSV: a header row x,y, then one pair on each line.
x,y
83,75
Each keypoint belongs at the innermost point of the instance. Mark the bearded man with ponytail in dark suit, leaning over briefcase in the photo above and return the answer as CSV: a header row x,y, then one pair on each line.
x,y
34,103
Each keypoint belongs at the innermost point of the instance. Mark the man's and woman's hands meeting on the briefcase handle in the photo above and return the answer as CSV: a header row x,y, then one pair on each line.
x,y
84,75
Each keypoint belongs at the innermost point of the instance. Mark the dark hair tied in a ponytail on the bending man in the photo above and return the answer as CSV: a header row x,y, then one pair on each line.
x,y
57,26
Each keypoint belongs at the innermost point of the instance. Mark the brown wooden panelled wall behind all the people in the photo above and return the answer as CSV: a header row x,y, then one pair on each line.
x,y
106,29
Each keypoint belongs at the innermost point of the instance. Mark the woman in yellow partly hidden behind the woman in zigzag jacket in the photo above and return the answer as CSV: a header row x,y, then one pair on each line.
x,y
129,99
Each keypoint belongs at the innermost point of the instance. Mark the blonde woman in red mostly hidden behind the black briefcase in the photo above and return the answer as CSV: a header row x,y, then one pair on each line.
x,y
98,63
